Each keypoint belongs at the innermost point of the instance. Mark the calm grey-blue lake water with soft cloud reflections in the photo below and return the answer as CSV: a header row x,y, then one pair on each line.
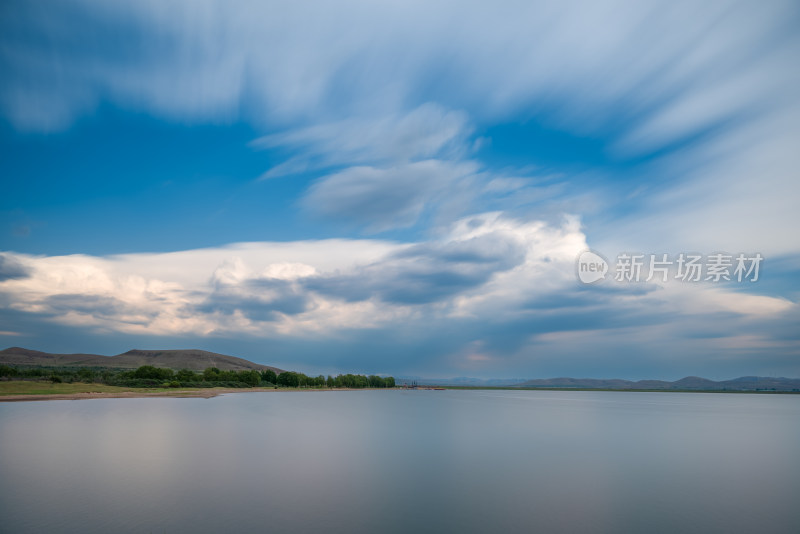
x,y
394,461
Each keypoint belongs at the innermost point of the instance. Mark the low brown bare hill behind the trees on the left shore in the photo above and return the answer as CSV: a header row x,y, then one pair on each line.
x,y
195,360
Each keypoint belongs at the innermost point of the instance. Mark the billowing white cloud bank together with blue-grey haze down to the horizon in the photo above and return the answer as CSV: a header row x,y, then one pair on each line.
x,y
488,289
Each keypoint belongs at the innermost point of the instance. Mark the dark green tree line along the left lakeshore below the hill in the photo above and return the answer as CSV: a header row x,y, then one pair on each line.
x,y
150,376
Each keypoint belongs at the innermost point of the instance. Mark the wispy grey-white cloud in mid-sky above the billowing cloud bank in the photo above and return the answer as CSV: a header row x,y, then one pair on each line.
x,y
394,167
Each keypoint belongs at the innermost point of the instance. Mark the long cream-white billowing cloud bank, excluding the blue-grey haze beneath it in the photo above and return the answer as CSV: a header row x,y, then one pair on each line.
x,y
510,279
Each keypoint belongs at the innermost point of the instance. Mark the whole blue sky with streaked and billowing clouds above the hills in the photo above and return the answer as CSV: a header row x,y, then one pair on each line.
x,y
405,188
